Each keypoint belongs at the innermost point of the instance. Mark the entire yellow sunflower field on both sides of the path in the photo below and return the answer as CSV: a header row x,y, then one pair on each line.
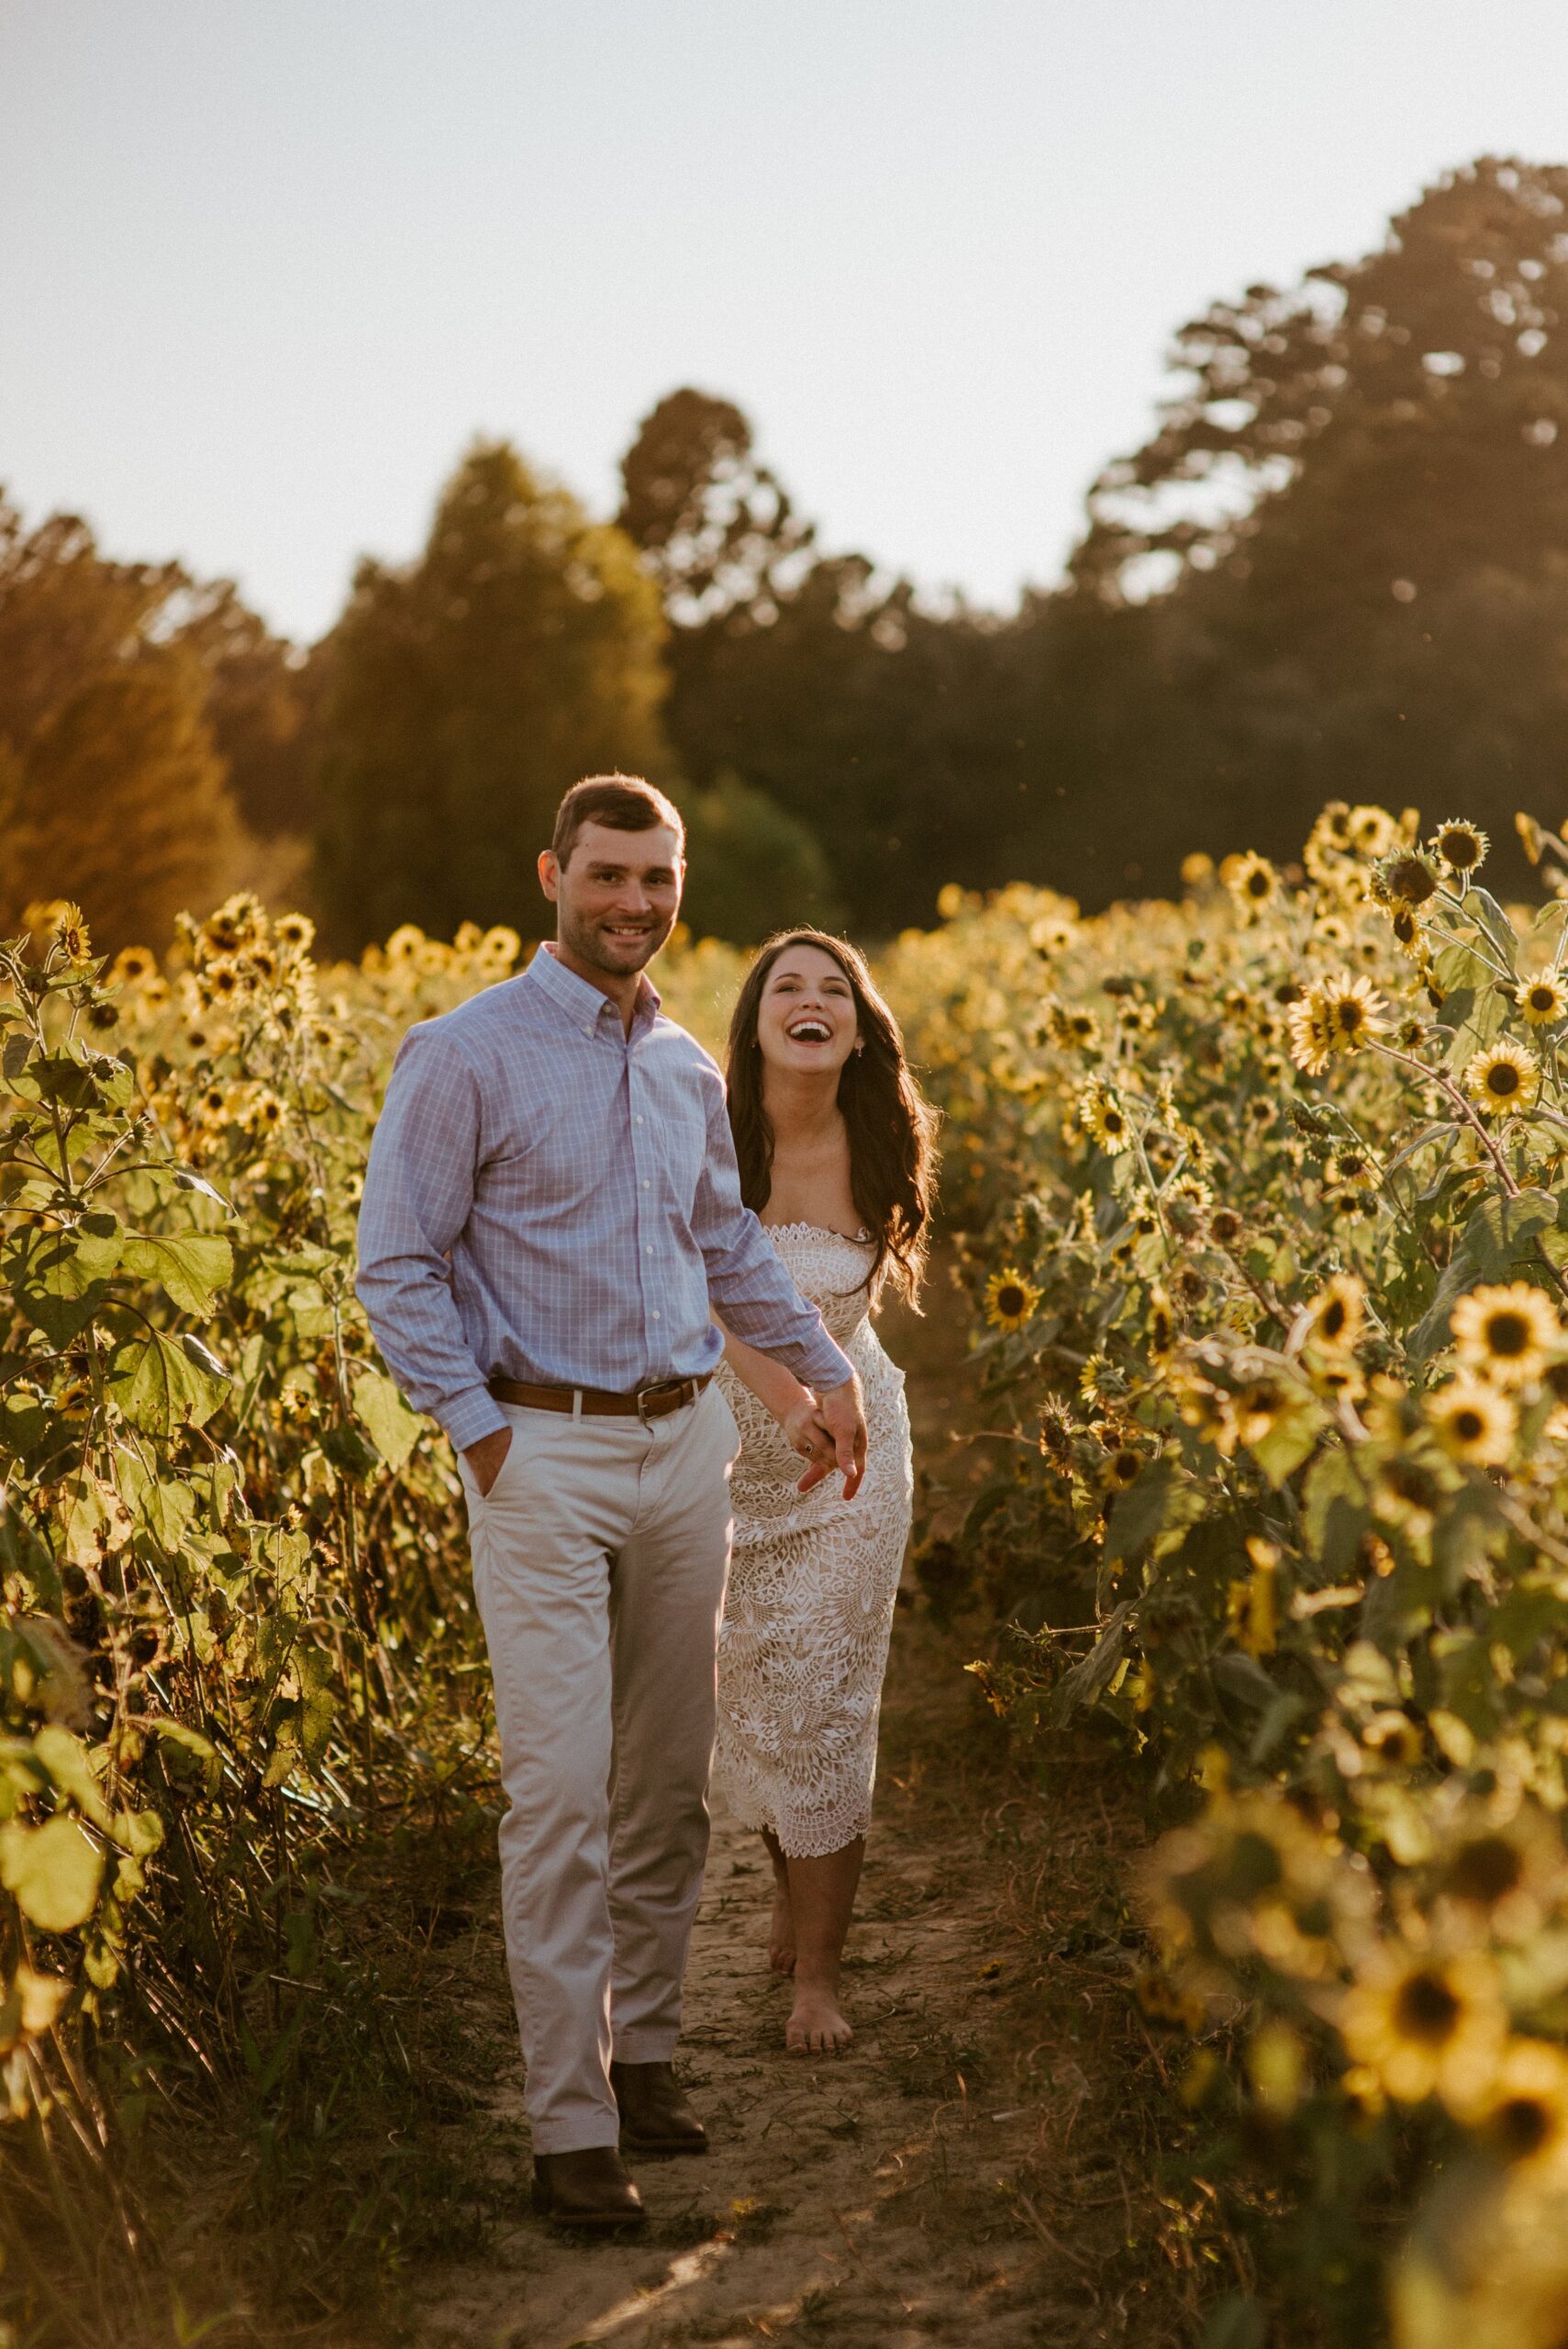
x,y
1262,1202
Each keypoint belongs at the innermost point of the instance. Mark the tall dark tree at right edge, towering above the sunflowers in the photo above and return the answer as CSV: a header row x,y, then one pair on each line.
x,y
1349,537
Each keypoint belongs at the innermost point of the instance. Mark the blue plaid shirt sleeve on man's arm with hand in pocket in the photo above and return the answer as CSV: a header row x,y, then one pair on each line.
x,y
419,1192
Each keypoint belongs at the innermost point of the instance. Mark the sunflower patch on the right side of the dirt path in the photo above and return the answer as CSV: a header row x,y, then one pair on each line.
x,y
1273,1192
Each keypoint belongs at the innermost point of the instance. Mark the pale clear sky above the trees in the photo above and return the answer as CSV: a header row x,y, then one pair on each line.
x,y
266,267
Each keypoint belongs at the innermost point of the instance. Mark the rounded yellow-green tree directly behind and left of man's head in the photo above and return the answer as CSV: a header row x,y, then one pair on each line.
x,y
466,692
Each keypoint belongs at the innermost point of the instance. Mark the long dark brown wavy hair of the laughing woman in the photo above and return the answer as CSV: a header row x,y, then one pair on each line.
x,y
891,1126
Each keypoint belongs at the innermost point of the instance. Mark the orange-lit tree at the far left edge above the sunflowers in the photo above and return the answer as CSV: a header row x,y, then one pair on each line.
x,y
111,786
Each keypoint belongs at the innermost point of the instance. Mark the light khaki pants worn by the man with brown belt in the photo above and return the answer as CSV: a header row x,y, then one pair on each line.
x,y
600,1570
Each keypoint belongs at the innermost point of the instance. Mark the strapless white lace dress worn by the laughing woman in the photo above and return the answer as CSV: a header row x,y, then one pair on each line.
x,y
804,1638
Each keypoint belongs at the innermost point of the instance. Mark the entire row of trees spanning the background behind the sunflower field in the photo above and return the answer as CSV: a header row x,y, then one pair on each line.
x,y
1337,570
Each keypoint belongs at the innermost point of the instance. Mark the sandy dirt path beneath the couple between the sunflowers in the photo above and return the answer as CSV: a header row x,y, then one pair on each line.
x,y
966,2172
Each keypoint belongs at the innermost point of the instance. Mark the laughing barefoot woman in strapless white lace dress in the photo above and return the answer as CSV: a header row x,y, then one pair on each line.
x,y
834,1152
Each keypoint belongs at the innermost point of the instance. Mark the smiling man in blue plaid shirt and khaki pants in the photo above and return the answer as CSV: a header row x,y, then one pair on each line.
x,y
550,1206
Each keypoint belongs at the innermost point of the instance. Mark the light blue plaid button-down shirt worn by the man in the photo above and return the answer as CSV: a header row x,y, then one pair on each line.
x,y
557,1202
